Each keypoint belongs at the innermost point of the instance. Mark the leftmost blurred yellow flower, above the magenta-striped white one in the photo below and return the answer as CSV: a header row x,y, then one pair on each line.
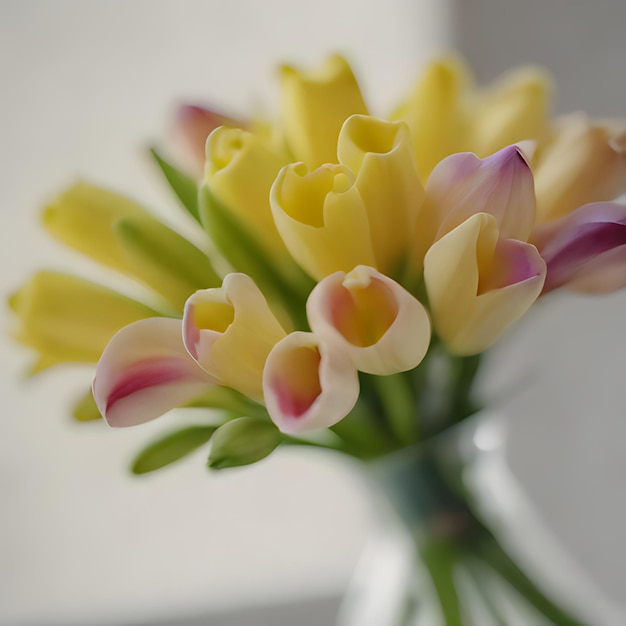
x,y
66,318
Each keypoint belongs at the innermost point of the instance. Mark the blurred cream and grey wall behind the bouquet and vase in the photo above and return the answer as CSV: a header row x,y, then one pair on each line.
x,y
86,87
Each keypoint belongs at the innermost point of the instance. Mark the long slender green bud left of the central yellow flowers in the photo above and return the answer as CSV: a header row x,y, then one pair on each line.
x,y
245,254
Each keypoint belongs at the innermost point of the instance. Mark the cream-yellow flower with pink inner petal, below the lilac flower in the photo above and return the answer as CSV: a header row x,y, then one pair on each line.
x,y
478,284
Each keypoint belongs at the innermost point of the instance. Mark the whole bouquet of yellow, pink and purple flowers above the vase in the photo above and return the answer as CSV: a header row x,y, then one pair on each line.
x,y
345,258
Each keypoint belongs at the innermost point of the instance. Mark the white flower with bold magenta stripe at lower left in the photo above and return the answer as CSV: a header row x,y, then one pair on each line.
x,y
145,371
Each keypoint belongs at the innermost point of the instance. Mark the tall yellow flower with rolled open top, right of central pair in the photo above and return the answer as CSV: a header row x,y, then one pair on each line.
x,y
381,156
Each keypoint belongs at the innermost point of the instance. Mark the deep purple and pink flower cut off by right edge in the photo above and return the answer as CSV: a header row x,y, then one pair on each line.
x,y
586,250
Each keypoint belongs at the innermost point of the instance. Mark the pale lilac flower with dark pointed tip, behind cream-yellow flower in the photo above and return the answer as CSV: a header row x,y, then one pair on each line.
x,y
501,184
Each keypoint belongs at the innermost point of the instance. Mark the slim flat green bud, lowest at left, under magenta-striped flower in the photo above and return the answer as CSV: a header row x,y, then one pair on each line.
x,y
173,447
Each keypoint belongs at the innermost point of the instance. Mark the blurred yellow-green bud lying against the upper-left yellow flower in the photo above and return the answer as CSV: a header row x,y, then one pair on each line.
x,y
165,260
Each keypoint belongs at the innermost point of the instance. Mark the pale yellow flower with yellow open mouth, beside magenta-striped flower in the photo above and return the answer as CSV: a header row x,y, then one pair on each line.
x,y
230,331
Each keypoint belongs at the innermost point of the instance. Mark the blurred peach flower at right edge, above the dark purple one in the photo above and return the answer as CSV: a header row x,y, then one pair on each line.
x,y
584,163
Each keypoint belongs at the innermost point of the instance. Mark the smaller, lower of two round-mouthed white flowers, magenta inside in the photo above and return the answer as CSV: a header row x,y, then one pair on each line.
x,y
308,383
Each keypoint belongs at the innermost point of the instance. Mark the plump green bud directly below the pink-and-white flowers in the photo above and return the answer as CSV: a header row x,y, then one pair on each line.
x,y
242,441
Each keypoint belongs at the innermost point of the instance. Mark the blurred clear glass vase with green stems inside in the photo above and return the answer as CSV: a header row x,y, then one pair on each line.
x,y
442,550
